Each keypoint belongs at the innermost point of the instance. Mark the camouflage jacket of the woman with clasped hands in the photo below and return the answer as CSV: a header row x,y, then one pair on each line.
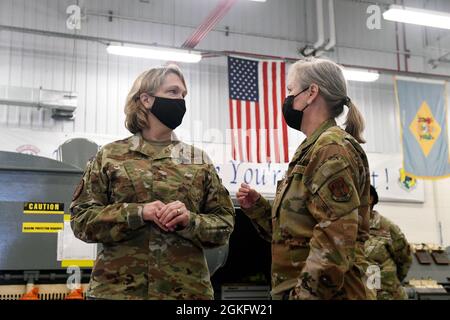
x,y
139,260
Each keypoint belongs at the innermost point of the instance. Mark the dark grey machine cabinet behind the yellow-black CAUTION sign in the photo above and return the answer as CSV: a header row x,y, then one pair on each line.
x,y
25,178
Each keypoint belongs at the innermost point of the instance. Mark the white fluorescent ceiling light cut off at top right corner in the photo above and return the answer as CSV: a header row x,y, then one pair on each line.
x,y
421,17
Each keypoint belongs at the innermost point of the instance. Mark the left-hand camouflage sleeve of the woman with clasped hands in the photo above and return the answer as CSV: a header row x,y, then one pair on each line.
x,y
93,218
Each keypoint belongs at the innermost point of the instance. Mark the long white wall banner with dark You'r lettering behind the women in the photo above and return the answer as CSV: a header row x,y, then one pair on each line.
x,y
385,169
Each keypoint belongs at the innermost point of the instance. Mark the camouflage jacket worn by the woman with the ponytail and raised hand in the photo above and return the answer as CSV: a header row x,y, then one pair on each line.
x,y
319,220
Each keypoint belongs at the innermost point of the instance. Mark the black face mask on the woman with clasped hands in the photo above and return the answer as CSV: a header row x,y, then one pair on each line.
x,y
169,111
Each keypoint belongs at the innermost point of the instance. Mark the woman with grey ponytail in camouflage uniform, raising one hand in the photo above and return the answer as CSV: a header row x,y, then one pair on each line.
x,y
319,220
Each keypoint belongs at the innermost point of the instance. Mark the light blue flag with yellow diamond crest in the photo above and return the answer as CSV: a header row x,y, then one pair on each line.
x,y
423,119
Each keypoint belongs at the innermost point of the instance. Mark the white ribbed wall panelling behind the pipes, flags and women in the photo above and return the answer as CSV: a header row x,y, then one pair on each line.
x,y
277,28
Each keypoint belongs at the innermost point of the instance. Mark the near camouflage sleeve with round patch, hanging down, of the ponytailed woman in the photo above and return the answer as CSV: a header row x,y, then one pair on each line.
x,y
334,203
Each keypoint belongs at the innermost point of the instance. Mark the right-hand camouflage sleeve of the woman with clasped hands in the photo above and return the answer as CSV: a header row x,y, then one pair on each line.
x,y
212,227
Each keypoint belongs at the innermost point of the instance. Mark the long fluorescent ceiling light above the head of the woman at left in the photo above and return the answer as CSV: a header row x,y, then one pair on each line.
x,y
156,53
